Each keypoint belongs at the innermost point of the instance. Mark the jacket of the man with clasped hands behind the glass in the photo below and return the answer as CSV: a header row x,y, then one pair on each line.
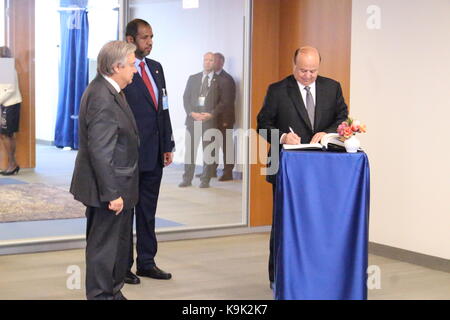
x,y
191,94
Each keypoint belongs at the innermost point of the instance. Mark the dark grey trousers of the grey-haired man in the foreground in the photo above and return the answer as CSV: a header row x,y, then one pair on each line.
x,y
107,237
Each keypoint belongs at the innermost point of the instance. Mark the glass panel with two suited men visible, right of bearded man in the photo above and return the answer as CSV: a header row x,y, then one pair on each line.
x,y
201,51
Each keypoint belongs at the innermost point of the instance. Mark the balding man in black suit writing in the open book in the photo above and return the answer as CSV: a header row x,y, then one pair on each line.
x,y
308,104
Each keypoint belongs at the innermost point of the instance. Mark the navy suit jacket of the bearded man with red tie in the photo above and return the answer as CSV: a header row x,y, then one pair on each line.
x,y
155,128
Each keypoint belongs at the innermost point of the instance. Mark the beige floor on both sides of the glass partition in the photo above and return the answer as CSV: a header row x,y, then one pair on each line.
x,y
216,268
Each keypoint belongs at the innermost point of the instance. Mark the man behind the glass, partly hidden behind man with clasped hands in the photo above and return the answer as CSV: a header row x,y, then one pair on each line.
x,y
225,115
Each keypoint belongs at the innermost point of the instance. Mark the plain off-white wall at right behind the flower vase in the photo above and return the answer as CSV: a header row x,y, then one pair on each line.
x,y
400,88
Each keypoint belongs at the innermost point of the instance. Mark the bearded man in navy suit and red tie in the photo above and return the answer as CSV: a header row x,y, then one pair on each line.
x,y
147,96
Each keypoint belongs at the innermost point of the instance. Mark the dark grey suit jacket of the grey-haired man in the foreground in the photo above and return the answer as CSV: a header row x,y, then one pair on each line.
x,y
107,159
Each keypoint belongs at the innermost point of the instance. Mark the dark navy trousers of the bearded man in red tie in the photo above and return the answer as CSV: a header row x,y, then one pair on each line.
x,y
145,211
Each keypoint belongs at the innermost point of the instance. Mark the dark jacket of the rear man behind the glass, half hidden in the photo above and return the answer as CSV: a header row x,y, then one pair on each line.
x,y
227,96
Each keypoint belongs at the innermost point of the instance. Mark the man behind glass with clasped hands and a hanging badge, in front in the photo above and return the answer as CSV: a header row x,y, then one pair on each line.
x,y
200,100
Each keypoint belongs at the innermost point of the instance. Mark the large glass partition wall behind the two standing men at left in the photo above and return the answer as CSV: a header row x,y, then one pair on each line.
x,y
36,202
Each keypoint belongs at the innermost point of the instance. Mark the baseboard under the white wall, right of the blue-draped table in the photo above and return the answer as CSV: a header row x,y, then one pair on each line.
x,y
412,257
